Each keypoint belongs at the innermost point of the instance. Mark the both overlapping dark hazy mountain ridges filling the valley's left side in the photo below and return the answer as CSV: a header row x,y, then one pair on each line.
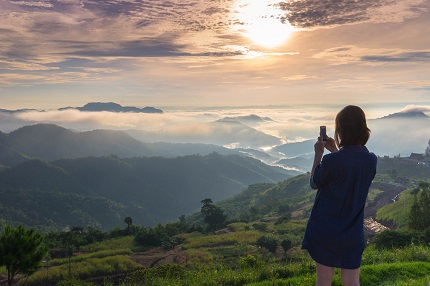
x,y
53,177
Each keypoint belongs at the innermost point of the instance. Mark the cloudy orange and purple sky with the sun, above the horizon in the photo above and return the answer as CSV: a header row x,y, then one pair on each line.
x,y
214,53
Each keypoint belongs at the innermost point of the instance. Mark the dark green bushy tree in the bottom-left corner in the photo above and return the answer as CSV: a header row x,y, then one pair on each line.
x,y
21,251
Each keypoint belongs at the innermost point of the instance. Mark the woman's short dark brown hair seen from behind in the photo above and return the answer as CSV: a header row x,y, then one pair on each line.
x,y
351,127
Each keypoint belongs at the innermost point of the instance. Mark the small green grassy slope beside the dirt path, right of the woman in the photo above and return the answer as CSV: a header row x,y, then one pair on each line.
x,y
397,212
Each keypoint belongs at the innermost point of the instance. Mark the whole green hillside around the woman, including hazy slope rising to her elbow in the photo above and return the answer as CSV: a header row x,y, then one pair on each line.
x,y
259,245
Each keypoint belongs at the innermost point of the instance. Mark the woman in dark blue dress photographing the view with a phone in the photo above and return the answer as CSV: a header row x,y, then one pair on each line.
x,y
334,235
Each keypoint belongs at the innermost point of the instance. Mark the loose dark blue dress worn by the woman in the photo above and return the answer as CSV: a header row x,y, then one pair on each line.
x,y
334,234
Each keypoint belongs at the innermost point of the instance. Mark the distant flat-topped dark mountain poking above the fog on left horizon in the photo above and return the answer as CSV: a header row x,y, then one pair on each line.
x,y
113,107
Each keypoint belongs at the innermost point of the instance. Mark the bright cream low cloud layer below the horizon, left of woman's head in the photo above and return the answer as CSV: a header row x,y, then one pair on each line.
x,y
184,123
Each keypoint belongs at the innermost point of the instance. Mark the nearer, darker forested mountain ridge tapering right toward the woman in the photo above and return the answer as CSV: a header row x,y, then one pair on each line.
x,y
153,190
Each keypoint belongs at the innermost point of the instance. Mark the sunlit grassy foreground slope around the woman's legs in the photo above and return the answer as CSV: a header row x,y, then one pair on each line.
x,y
230,257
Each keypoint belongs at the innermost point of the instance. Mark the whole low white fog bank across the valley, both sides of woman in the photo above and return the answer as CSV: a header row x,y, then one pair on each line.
x,y
270,127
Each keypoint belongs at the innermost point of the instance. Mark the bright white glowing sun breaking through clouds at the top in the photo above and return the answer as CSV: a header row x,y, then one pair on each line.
x,y
260,22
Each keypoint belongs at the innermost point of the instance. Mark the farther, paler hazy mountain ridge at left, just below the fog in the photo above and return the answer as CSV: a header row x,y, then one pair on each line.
x,y
51,142
